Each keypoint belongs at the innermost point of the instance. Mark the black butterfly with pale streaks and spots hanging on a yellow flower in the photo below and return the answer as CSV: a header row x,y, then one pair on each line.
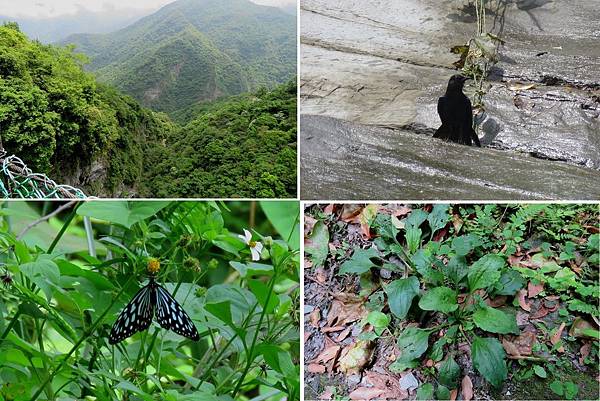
x,y
152,300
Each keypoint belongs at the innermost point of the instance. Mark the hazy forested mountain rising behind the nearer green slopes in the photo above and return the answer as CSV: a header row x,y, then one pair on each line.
x,y
195,51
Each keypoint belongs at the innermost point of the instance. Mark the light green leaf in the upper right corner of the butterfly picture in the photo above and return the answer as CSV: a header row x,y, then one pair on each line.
x,y
285,217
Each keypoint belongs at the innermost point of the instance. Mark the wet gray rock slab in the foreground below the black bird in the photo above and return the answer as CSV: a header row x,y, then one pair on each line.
x,y
342,160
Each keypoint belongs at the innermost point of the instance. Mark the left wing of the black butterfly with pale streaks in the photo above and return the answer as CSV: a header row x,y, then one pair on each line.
x,y
136,316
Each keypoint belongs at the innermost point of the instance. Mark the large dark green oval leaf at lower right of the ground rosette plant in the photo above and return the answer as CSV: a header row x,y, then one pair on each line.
x,y
489,359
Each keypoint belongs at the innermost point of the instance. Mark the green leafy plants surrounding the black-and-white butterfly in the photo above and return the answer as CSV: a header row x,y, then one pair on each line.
x,y
68,282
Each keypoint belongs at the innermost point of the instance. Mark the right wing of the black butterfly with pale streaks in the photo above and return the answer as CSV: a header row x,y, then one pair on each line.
x,y
171,316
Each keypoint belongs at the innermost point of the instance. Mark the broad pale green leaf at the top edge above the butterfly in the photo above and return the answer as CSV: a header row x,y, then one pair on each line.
x,y
125,213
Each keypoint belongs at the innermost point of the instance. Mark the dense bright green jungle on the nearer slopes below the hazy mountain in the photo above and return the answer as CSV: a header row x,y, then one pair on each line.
x,y
62,122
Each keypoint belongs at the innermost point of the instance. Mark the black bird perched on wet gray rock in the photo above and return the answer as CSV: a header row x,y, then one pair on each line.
x,y
456,114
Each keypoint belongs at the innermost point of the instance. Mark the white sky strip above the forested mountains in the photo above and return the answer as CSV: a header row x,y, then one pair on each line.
x,y
53,8
